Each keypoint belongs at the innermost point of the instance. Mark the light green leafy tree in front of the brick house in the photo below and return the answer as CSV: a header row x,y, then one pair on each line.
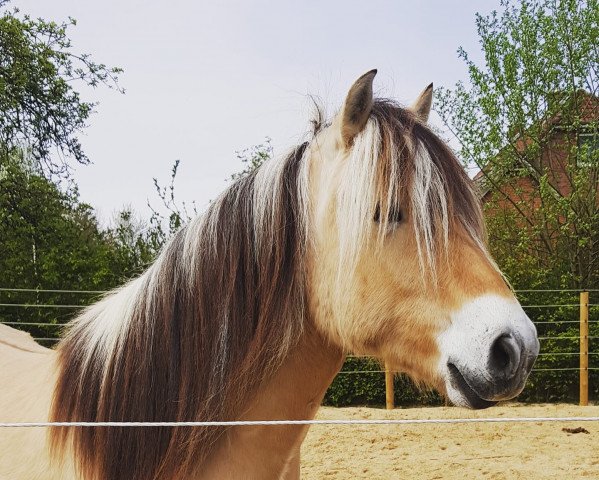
x,y
528,119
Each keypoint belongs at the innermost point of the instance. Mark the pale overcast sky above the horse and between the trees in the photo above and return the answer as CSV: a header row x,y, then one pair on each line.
x,y
204,79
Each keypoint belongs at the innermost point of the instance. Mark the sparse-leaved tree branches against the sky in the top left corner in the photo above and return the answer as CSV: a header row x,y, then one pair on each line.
x,y
39,108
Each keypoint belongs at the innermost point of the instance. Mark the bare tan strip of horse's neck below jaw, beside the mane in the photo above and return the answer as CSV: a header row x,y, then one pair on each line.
x,y
294,393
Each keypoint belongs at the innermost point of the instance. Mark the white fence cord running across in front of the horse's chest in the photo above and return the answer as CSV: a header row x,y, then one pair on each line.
x,y
249,423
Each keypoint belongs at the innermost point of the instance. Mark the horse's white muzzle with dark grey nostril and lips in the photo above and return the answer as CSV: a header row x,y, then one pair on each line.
x,y
488,352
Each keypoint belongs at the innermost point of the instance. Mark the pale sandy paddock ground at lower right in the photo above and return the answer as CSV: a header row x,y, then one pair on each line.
x,y
453,451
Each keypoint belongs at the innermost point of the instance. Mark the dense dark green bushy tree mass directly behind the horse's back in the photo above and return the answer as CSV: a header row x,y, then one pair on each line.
x,y
50,240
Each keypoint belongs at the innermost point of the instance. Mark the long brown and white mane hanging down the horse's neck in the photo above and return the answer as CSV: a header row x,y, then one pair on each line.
x,y
193,337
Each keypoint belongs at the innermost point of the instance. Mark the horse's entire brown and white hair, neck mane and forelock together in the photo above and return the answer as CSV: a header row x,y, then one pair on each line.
x,y
197,334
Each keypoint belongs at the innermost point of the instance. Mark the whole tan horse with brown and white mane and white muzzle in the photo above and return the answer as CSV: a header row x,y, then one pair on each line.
x,y
366,239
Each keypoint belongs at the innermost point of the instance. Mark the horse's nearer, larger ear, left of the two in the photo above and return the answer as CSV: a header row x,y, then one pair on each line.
x,y
357,107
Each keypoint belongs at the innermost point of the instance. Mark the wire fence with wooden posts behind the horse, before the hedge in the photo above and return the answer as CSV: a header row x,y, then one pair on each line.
x,y
81,298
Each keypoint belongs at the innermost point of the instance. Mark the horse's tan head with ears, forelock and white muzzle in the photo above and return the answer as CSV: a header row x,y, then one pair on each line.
x,y
398,265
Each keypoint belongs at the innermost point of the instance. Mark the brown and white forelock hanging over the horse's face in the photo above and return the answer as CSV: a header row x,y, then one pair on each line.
x,y
397,162
